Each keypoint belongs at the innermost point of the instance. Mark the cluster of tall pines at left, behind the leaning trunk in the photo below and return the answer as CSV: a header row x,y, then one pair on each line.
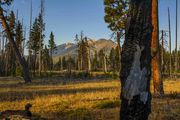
x,y
38,53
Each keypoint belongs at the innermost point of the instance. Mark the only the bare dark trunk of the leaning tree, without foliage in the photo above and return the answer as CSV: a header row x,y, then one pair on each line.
x,y
18,55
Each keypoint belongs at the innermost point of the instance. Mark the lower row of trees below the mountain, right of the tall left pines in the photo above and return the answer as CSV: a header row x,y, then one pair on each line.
x,y
89,60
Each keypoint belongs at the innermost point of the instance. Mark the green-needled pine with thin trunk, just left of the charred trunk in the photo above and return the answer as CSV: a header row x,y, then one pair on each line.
x,y
115,17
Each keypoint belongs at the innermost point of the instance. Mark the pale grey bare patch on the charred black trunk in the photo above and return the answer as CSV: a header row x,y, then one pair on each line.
x,y
136,82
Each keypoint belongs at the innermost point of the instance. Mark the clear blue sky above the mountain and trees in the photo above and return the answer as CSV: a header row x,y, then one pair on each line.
x,y
68,17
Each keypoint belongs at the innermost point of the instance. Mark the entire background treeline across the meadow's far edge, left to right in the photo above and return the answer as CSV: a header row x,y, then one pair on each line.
x,y
87,59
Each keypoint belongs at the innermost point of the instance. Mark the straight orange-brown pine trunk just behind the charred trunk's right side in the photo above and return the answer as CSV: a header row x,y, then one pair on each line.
x,y
156,73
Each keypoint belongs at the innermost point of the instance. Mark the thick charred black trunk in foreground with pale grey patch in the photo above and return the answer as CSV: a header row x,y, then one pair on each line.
x,y
136,62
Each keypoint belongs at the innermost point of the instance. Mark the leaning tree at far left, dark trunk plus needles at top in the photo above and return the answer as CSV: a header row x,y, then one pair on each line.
x,y
9,35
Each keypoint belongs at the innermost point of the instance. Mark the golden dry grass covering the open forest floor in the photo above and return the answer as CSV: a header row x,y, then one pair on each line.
x,y
81,100
